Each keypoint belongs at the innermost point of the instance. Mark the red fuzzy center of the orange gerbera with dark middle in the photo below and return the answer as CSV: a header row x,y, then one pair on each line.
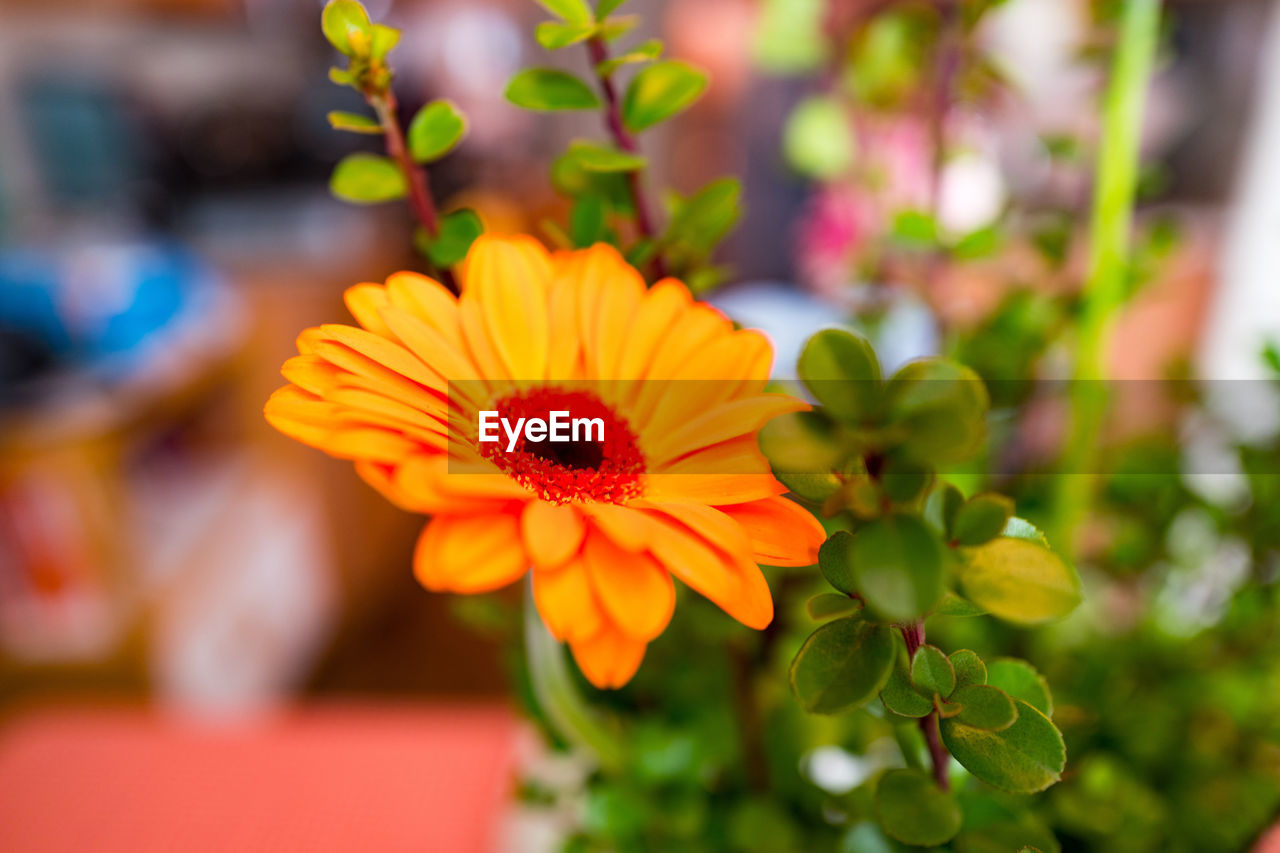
x,y
584,468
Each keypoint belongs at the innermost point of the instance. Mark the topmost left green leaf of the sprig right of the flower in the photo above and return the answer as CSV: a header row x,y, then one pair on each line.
x,y
842,372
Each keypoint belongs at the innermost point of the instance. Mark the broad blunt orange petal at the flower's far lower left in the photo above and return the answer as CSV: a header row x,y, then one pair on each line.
x,y
470,554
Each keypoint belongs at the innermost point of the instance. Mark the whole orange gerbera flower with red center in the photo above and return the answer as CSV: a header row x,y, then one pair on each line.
x,y
678,487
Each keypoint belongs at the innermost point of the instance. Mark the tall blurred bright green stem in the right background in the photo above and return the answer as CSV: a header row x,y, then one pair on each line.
x,y
1109,259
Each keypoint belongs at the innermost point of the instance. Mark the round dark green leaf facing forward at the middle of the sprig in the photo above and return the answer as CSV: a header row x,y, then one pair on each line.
x,y
898,567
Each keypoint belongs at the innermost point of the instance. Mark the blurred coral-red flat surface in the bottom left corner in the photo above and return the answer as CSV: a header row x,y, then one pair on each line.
x,y
318,779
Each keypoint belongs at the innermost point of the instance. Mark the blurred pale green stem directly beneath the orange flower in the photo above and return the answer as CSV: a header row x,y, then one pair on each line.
x,y
559,697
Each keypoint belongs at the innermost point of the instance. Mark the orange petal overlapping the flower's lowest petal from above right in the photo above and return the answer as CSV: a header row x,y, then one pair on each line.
x,y
636,591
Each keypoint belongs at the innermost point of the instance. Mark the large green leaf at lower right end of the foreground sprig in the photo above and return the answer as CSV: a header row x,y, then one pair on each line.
x,y
1025,759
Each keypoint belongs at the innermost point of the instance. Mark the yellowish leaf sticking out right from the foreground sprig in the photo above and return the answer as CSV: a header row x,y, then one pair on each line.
x,y
1020,581
